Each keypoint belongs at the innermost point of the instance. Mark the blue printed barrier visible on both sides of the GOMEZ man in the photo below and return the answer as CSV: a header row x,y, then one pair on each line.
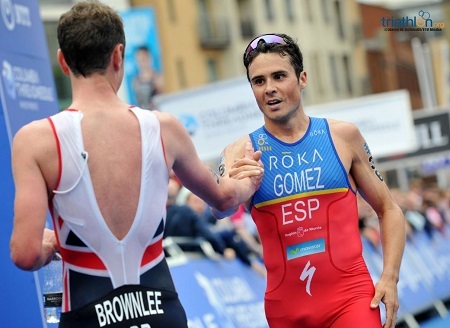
x,y
221,293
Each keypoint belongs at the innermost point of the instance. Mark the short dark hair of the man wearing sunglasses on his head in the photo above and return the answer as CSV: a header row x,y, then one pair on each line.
x,y
290,48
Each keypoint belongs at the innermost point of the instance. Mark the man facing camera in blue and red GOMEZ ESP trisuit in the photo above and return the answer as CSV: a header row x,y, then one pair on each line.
x,y
306,208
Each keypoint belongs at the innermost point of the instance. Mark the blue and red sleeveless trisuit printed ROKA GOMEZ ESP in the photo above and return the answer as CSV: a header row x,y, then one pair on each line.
x,y
306,215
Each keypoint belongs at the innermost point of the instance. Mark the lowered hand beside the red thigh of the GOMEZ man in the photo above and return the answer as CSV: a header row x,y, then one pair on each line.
x,y
386,292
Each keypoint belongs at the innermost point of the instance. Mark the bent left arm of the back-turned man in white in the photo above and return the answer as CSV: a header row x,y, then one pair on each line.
x,y
31,244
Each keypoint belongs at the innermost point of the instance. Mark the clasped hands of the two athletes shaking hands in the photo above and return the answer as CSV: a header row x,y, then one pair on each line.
x,y
248,166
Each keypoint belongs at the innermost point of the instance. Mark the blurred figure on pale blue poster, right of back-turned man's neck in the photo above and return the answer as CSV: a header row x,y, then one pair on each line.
x,y
148,82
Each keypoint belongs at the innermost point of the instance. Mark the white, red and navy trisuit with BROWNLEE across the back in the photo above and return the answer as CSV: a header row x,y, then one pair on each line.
x,y
110,282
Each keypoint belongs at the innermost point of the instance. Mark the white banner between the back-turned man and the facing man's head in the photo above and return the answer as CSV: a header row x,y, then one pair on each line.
x,y
214,115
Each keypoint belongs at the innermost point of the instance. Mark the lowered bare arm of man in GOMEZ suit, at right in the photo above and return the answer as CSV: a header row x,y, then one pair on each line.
x,y
370,184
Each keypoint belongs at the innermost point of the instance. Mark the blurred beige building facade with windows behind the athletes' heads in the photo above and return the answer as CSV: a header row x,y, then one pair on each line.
x,y
203,40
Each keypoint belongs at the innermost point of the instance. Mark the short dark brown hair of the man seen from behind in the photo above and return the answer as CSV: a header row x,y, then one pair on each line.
x,y
87,35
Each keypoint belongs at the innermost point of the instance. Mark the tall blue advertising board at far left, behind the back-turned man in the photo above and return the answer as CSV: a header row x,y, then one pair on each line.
x,y
27,93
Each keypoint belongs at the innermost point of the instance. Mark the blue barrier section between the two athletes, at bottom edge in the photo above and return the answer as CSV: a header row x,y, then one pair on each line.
x,y
222,293
